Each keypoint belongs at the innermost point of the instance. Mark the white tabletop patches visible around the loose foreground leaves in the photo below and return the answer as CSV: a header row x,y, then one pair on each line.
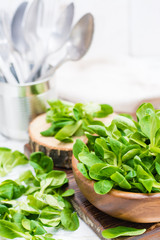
x,y
83,232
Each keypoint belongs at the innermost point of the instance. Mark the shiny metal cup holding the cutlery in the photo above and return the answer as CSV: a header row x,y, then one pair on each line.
x,y
19,104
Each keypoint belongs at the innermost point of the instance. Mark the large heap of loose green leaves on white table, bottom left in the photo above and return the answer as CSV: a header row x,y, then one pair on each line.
x,y
36,201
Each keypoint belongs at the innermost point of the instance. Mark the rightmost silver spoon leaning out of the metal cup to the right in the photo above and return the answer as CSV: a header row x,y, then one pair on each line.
x,y
77,45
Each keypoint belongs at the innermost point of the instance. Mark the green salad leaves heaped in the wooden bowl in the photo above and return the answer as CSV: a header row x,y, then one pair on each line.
x,y
124,155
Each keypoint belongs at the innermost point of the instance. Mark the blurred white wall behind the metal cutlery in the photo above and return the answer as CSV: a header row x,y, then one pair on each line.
x,y
122,27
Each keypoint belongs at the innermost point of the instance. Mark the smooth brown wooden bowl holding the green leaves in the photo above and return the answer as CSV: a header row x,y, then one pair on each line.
x,y
134,207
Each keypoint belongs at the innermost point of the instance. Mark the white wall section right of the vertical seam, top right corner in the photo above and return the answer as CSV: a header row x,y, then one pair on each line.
x,y
144,27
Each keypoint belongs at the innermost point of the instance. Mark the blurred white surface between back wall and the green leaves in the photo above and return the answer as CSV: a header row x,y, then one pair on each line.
x,y
122,82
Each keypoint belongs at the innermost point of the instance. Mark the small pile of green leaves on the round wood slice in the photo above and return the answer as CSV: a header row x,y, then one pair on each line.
x,y
68,120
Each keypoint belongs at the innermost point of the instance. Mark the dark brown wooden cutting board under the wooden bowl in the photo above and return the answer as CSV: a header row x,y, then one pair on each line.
x,y
100,221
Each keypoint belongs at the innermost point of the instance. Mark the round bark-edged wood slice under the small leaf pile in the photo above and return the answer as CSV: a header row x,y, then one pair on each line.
x,y
60,152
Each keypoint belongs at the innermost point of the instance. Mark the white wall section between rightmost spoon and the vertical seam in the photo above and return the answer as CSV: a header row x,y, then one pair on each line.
x,y
111,26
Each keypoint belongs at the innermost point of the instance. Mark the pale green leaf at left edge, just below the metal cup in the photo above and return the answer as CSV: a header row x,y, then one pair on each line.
x,y
9,160
